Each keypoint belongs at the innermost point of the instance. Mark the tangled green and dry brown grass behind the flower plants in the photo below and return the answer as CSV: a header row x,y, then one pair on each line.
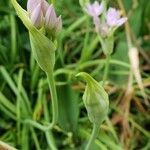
x,y
25,101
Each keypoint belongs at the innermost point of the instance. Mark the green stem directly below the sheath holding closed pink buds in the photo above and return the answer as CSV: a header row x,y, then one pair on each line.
x,y
52,87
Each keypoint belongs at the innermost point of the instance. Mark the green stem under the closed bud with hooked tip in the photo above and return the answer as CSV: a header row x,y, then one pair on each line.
x,y
93,137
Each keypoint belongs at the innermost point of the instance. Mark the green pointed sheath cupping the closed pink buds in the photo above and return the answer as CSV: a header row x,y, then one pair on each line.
x,y
42,47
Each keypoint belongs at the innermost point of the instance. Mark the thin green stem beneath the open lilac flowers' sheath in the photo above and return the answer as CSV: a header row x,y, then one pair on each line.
x,y
106,68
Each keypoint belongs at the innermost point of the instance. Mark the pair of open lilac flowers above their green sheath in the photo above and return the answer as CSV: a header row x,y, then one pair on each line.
x,y
112,18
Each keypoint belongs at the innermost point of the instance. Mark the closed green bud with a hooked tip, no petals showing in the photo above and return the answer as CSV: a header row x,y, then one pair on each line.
x,y
95,99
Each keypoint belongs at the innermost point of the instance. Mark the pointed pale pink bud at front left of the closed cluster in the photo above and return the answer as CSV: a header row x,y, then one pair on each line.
x,y
37,16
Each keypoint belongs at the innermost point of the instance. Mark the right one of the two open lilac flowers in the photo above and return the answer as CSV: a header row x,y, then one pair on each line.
x,y
113,18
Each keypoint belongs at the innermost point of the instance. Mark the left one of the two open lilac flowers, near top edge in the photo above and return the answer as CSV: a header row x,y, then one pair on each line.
x,y
94,9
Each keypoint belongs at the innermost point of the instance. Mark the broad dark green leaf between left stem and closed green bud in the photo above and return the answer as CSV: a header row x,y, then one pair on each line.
x,y
68,108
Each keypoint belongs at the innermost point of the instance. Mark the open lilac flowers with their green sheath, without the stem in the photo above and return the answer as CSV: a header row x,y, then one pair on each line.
x,y
106,26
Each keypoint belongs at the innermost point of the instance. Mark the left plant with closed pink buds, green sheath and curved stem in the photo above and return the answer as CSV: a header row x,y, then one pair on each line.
x,y
43,25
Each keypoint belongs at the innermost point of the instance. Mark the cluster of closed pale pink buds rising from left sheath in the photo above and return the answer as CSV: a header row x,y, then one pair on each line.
x,y
43,15
